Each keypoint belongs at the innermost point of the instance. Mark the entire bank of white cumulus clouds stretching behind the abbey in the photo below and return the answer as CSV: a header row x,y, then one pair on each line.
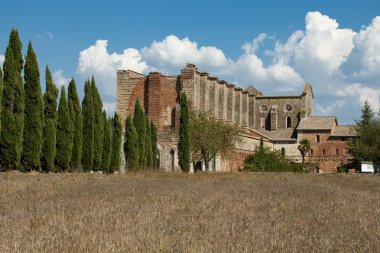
x,y
339,62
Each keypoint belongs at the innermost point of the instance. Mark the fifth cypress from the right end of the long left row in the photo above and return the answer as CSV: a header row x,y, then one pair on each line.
x,y
77,120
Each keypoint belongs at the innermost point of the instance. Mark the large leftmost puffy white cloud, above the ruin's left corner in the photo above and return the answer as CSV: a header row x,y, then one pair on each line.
x,y
97,61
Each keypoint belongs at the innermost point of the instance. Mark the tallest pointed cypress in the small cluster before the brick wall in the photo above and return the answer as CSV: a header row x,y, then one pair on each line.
x,y
140,125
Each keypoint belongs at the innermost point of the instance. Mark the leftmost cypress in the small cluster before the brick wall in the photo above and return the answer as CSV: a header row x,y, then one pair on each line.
x,y
131,145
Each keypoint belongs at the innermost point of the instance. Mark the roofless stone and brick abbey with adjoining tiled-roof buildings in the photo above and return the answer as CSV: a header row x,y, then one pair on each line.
x,y
281,121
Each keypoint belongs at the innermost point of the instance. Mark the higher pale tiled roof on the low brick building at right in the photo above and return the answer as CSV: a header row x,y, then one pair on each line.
x,y
317,123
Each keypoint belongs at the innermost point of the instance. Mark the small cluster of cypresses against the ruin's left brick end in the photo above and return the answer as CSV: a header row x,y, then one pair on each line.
x,y
140,146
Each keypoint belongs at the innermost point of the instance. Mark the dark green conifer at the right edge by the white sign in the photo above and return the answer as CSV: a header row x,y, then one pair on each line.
x,y
367,146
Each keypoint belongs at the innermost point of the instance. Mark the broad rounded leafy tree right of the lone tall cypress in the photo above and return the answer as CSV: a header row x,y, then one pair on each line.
x,y
210,137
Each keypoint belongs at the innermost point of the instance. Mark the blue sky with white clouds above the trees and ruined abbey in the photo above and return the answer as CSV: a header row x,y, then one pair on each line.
x,y
275,45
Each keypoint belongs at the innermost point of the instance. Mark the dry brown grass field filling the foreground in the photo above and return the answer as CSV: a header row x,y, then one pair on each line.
x,y
162,212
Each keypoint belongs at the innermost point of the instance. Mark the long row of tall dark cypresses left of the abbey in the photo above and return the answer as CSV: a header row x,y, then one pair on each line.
x,y
34,135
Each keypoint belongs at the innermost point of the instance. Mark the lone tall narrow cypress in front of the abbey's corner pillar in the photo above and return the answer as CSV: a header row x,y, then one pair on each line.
x,y
184,136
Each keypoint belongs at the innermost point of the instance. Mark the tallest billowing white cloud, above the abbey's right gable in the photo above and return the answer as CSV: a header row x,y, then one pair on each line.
x,y
323,44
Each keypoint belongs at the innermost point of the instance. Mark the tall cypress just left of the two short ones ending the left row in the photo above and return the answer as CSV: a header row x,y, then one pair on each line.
x,y
98,125
